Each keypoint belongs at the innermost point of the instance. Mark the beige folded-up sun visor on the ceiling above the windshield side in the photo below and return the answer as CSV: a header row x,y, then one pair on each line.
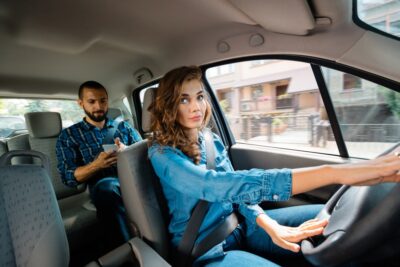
x,y
281,16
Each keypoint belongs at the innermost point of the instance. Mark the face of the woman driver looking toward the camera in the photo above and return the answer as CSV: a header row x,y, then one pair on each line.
x,y
192,105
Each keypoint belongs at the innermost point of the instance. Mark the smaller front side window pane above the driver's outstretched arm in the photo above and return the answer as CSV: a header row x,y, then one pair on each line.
x,y
368,113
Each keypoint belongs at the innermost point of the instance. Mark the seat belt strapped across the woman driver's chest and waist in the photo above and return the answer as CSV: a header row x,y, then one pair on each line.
x,y
186,245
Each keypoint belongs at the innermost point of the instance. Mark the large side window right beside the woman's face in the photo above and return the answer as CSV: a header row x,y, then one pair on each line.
x,y
273,103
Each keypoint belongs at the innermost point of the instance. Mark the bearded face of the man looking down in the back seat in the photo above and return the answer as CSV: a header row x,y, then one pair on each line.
x,y
95,104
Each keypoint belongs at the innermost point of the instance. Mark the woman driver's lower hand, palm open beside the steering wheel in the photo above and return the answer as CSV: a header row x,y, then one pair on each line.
x,y
286,237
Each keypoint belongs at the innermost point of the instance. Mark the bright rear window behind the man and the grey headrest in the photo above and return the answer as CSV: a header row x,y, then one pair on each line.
x,y
16,108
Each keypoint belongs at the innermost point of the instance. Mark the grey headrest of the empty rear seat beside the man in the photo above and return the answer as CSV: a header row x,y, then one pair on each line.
x,y
43,124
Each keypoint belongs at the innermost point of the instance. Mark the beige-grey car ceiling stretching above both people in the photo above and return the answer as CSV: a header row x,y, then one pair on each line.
x,y
47,48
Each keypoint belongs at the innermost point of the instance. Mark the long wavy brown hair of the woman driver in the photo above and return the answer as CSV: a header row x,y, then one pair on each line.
x,y
164,112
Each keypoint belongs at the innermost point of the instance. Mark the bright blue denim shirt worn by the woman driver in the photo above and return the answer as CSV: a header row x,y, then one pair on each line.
x,y
185,183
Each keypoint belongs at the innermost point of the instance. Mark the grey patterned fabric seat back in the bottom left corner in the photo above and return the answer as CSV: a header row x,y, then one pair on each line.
x,y
31,229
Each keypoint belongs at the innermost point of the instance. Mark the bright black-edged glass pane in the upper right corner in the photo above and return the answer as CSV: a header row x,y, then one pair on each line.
x,y
381,15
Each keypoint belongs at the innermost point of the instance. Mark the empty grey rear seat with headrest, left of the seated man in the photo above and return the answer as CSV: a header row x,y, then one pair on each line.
x,y
79,214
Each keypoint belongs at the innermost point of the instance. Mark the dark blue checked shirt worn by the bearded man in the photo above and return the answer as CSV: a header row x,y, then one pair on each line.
x,y
80,144
